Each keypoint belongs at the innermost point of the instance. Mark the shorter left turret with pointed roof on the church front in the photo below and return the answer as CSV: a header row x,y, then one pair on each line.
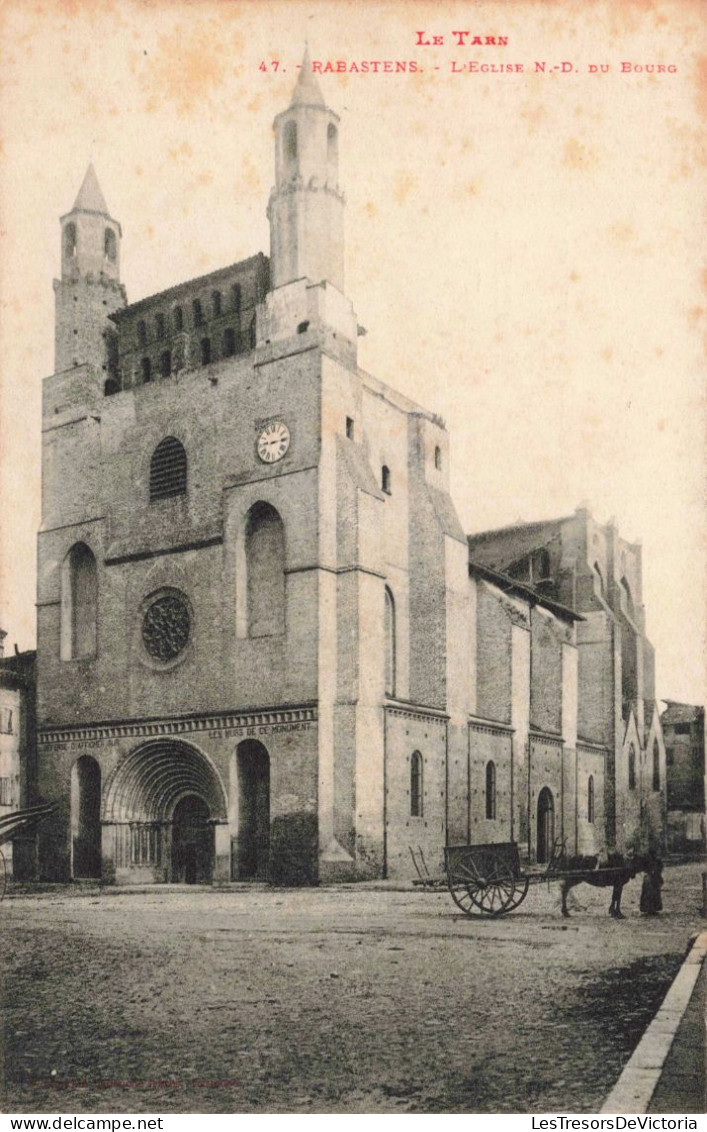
x,y
90,288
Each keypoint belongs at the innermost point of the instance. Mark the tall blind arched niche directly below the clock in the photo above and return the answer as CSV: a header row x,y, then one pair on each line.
x,y
265,572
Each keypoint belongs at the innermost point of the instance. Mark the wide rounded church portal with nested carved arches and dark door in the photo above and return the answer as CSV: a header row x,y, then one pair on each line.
x,y
162,804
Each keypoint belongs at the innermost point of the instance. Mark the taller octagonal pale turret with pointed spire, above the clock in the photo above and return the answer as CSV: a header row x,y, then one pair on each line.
x,y
306,210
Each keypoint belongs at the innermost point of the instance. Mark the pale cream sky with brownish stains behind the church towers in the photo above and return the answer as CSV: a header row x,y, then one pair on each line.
x,y
523,246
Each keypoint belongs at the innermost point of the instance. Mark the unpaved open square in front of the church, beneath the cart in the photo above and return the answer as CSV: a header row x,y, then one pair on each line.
x,y
338,1000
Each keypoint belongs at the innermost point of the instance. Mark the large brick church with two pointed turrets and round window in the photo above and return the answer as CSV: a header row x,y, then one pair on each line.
x,y
266,647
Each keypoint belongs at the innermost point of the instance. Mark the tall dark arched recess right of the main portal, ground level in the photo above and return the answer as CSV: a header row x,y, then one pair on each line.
x,y
254,777
